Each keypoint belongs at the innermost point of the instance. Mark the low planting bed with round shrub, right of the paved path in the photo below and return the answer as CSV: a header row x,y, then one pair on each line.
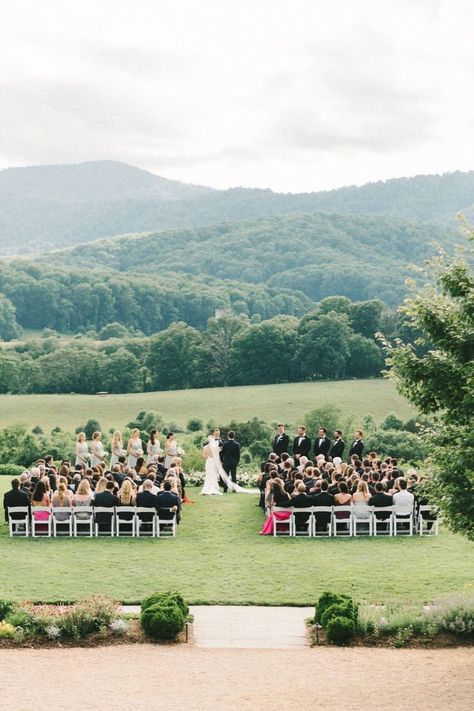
x,y
449,619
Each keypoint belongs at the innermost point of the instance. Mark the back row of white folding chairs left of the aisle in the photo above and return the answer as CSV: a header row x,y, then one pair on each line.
x,y
133,521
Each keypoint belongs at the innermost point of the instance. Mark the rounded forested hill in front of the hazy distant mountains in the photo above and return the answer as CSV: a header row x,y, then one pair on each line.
x,y
319,254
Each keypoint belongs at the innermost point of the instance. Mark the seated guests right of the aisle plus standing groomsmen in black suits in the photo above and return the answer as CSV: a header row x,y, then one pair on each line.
x,y
362,482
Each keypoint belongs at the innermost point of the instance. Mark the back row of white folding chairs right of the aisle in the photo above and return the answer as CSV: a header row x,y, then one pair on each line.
x,y
347,521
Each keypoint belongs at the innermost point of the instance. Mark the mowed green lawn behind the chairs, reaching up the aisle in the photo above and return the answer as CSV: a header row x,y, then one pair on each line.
x,y
219,558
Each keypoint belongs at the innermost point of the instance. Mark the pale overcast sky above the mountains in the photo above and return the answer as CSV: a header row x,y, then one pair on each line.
x,y
295,96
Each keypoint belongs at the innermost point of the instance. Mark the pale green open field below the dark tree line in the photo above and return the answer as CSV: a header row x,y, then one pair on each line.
x,y
287,402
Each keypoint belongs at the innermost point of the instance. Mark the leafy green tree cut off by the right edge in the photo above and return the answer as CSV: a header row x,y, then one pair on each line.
x,y
441,381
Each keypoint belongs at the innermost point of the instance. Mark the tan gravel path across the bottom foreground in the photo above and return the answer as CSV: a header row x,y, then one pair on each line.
x,y
125,678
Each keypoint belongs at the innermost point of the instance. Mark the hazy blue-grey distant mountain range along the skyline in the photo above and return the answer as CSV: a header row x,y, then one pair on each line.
x,y
56,206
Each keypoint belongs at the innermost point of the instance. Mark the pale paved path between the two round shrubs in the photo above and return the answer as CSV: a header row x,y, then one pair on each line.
x,y
245,627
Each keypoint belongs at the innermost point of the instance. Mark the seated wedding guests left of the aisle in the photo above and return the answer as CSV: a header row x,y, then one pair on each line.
x,y
150,484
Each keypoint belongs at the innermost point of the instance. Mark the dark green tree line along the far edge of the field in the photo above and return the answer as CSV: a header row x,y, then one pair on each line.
x,y
335,340
